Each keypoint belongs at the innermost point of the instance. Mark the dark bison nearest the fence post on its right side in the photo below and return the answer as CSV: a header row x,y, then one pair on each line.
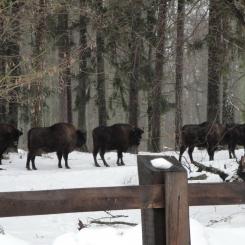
x,y
206,134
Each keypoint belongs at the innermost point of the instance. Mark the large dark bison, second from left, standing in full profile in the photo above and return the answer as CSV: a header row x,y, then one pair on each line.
x,y
61,138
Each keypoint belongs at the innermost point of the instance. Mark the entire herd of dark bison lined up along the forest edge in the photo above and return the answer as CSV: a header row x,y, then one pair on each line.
x,y
63,138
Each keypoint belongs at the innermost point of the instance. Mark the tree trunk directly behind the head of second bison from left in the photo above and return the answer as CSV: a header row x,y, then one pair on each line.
x,y
83,83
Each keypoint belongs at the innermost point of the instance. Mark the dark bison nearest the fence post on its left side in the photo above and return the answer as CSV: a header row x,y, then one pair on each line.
x,y
116,137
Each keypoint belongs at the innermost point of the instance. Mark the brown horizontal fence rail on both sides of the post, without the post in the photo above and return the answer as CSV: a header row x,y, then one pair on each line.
x,y
114,198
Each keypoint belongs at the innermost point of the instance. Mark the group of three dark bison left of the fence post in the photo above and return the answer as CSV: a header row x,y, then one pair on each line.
x,y
63,138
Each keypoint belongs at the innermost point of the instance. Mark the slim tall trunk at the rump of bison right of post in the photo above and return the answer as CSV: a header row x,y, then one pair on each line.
x,y
179,71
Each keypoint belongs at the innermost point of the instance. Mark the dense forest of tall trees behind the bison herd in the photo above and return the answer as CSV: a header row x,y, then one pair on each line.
x,y
156,64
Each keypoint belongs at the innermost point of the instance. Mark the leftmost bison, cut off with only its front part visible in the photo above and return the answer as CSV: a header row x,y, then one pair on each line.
x,y
9,137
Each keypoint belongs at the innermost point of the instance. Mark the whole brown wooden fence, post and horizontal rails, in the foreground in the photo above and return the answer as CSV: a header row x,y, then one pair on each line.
x,y
164,197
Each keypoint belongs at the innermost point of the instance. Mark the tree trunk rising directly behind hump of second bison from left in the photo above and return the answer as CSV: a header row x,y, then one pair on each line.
x,y
64,61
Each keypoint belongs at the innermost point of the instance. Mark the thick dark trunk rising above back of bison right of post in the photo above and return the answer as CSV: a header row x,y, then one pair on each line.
x,y
214,60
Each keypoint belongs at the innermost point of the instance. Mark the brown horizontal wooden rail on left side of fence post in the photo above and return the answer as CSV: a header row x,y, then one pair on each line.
x,y
80,200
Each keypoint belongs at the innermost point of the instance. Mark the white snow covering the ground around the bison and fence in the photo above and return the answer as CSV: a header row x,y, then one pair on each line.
x,y
213,225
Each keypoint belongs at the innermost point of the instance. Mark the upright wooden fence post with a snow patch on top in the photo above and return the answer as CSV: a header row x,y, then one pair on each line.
x,y
169,225
